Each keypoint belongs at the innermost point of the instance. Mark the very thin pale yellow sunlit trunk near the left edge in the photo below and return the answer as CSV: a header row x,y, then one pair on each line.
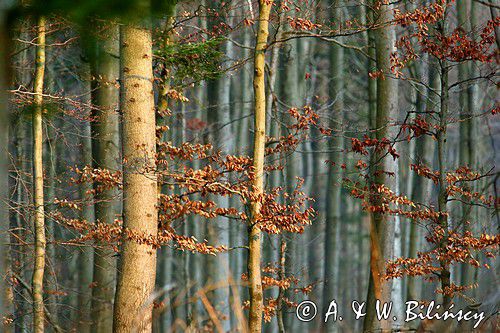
x,y
40,243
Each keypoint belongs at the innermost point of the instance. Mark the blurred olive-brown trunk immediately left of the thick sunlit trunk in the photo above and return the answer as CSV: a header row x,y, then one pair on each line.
x,y
105,155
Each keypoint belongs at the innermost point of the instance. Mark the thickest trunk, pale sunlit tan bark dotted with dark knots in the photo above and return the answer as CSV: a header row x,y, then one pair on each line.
x,y
133,308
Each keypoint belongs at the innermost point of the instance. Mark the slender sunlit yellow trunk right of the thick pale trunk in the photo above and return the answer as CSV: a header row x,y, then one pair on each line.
x,y
254,233
